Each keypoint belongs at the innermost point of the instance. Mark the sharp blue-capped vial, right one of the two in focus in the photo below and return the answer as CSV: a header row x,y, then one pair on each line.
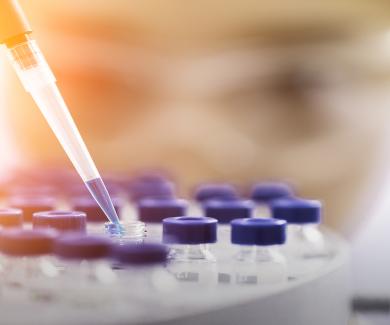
x,y
257,259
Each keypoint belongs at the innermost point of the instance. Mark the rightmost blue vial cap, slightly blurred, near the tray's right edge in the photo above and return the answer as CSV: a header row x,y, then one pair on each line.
x,y
297,211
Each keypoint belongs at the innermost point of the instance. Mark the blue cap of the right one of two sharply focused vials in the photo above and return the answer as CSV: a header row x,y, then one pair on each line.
x,y
258,231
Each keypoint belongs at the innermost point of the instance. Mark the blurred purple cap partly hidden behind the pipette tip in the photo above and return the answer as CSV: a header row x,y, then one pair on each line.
x,y
93,211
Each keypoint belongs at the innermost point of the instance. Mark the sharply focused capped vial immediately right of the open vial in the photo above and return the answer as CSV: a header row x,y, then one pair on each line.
x,y
190,259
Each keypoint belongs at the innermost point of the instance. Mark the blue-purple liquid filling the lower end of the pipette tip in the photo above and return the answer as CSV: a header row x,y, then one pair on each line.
x,y
99,192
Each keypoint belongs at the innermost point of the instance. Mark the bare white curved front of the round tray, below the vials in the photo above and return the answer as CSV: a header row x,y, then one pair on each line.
x,y
320,298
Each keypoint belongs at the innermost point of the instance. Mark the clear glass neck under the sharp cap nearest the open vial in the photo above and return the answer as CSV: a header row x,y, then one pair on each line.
x,y
183,253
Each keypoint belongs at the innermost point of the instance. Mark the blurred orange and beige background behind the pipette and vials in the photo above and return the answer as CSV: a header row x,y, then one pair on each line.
x,y
235,91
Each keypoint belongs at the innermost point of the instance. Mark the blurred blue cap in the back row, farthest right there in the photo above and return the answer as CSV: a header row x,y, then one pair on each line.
x,y
268,191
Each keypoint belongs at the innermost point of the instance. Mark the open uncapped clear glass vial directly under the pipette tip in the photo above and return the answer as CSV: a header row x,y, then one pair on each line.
x,y
126,231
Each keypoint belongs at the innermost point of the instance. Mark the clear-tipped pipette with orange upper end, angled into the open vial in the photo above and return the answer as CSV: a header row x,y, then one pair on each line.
x,y
37,79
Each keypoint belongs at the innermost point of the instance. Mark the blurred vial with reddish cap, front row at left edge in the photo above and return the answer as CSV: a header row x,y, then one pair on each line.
x,y
27,268
